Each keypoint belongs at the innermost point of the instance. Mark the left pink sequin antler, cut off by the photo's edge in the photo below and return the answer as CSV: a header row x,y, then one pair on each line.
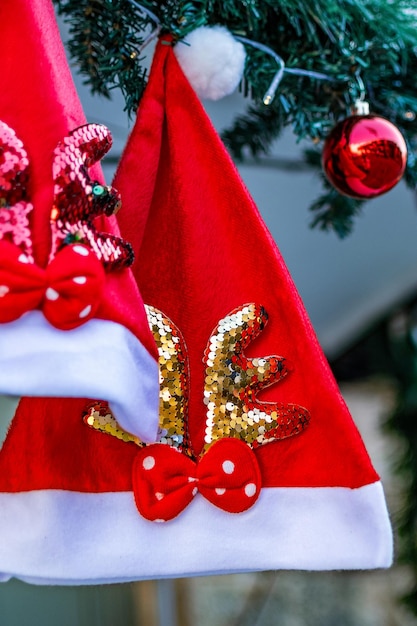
x,y
14,205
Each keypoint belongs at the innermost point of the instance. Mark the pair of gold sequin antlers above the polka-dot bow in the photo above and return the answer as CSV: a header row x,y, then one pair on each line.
x,y
231,386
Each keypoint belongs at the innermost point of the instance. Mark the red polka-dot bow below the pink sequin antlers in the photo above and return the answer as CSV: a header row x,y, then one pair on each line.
x,y
68,291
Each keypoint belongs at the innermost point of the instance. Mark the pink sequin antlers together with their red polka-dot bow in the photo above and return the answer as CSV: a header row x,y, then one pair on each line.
x,y
69,290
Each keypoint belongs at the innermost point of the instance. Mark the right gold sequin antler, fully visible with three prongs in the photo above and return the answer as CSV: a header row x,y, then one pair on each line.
x,y
233,381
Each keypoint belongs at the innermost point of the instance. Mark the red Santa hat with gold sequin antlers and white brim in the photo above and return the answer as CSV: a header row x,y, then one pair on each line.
x,y
258,463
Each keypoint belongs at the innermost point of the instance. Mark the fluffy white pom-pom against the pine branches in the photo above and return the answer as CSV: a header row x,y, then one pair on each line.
x,y
212,60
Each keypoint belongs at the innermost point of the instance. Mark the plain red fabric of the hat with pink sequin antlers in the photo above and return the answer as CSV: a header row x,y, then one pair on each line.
x,y
39,102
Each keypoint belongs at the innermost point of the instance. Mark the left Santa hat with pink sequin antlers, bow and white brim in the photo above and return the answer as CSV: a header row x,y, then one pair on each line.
x,y
72,322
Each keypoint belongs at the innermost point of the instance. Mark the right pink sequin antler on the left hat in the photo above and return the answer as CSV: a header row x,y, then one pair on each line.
x,y
78,199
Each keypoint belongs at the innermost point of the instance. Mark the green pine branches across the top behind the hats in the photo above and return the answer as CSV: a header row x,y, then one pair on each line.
x,y
339,38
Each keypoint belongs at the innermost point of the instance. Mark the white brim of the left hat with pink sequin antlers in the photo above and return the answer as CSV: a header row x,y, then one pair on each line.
x,y
99,360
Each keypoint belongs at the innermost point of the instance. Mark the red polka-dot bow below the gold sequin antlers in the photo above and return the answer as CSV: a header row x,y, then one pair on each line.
x,y
165,481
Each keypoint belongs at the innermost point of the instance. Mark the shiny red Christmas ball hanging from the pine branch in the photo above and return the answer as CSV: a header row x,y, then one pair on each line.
x,y
364,156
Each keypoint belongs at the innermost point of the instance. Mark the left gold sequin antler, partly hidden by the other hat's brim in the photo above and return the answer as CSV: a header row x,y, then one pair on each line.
x,y
173,391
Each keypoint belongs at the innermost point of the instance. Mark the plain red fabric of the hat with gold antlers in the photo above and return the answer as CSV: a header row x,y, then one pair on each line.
x,y
202,250
